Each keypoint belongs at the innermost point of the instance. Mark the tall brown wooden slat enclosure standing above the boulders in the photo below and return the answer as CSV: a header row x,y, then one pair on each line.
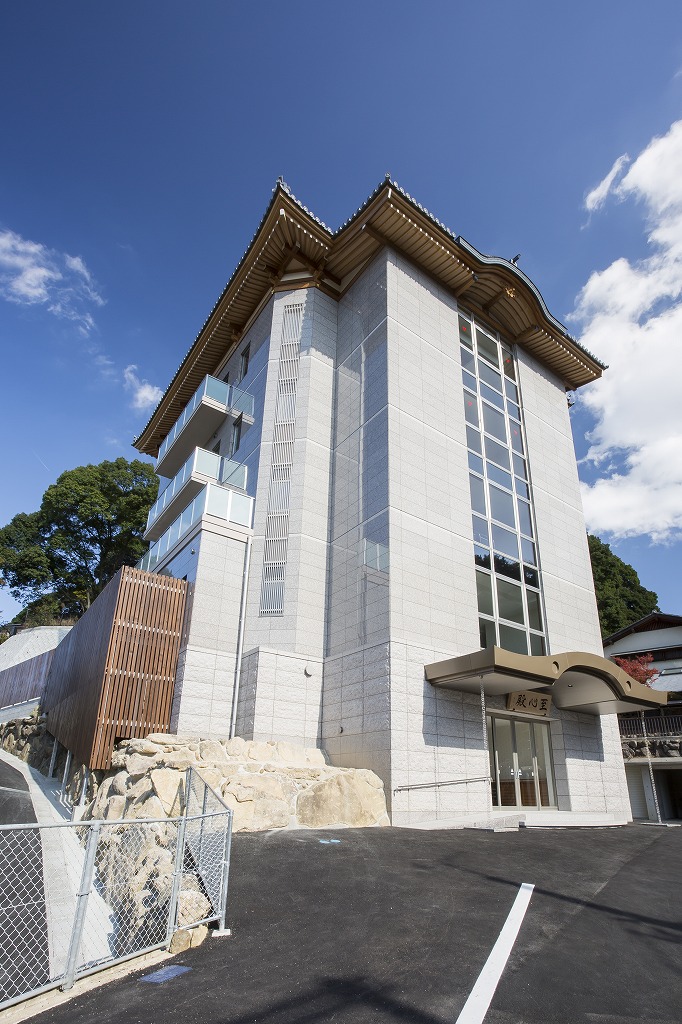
x,y
114,675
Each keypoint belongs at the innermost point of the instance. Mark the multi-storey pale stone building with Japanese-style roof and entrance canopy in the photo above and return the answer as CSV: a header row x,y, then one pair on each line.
x,y
370,485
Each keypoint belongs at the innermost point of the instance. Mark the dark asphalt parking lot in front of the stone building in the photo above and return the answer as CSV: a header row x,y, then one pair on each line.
x,y
390,925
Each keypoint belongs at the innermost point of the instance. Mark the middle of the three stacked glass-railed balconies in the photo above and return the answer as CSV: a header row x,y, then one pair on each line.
x,y
201,468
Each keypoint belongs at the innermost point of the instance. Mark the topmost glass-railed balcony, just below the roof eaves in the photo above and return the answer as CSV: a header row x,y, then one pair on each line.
x,y
205,412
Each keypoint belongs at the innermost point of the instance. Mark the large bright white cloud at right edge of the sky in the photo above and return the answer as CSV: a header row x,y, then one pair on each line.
x,y
631,316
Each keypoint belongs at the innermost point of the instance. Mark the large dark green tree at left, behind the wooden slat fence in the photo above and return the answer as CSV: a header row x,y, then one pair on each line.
x,y
90,524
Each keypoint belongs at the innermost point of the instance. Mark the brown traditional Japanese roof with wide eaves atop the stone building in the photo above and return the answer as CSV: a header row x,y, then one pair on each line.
x,y
294,249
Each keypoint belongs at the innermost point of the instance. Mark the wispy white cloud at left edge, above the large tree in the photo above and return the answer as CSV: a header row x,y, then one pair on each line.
x,y
33,275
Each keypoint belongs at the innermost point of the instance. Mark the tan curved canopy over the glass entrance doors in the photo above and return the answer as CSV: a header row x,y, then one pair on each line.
x,y
577,681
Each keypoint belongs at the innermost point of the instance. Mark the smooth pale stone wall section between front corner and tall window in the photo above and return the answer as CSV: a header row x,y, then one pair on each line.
x,y
431,514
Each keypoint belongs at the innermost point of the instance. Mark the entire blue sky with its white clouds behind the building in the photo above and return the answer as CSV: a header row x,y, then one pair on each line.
x,y
141,143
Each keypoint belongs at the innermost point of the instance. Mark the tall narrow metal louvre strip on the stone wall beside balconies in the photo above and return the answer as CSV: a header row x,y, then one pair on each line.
x,y
277,518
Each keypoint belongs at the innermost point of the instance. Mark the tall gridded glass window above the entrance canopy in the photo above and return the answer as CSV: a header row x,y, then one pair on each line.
x,y
505,554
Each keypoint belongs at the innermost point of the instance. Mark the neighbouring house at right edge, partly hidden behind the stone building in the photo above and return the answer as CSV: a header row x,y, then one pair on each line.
x,y
653,747
